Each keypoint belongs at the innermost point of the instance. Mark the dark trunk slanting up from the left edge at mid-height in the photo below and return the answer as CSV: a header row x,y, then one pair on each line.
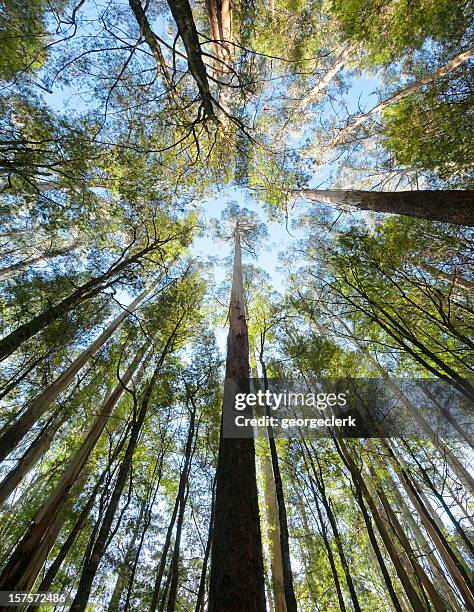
x,y
92,288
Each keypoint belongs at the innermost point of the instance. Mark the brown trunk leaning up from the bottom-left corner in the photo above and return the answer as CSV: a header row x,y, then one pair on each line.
x,y
21,570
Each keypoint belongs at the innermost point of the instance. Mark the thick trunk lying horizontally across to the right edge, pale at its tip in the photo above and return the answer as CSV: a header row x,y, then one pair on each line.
x,y
446,206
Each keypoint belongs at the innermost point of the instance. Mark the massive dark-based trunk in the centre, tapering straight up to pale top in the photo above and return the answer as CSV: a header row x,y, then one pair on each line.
x,y
236,557
